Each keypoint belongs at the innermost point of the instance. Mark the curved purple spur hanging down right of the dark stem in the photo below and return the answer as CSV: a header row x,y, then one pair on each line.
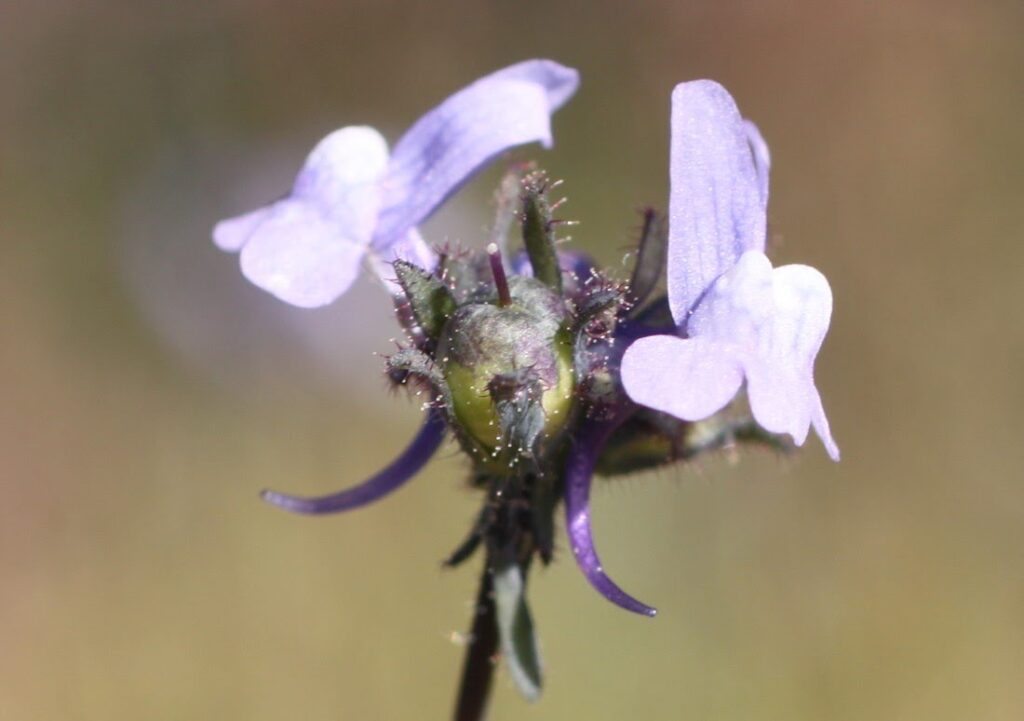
x,y
579,474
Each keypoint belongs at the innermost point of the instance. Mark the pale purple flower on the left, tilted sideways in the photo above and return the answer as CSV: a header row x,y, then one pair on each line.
x,y
354,199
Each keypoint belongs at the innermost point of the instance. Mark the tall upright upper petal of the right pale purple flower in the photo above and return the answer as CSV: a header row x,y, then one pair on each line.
x,y
716,211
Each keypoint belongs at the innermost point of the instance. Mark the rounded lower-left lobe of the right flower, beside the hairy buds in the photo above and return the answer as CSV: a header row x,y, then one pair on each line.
x,y
688,378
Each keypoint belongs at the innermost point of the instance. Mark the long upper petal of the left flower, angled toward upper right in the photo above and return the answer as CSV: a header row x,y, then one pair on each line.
x,y
449,144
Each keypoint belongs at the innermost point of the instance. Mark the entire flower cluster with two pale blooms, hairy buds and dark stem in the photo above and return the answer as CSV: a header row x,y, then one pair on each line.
x,y
544,369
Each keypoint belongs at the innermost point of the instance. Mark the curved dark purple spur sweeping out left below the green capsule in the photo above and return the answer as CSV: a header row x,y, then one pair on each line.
x,y
391,479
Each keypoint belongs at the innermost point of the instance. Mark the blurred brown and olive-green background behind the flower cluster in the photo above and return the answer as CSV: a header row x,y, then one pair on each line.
x,y
149,393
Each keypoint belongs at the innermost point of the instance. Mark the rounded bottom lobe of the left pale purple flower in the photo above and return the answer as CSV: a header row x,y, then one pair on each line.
x,y
297,255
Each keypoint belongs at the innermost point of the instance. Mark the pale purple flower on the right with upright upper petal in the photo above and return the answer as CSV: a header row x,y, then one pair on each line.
x,y
738,319
